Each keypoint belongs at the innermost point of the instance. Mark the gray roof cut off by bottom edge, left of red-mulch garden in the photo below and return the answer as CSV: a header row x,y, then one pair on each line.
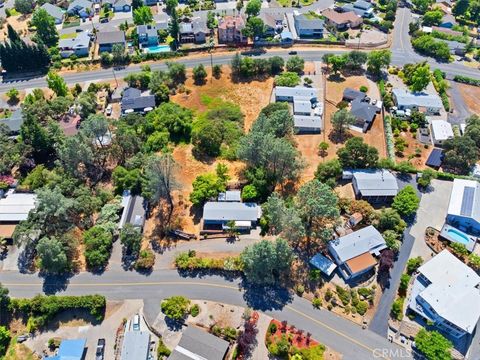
x,y
199,344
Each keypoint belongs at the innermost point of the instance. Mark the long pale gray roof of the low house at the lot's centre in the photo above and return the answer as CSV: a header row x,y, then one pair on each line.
x,y
226,211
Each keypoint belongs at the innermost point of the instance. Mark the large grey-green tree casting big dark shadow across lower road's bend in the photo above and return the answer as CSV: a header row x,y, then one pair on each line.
x,y
266,262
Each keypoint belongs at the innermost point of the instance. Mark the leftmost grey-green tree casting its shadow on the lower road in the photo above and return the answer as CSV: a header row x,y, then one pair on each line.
x,y
52,255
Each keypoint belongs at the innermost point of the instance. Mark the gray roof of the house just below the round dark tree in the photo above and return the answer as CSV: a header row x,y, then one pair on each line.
x,y
372,182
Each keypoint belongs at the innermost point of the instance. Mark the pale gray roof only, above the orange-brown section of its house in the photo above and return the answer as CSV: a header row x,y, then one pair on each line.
x,y
357,243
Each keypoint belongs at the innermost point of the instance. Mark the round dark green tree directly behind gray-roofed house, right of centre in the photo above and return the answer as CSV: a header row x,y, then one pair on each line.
x,y
357,155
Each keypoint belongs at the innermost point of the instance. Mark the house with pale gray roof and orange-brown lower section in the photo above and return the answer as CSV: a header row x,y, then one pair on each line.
x,y
355,253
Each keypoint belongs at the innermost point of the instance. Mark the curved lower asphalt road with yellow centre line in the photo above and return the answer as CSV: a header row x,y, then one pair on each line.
x,y
335,332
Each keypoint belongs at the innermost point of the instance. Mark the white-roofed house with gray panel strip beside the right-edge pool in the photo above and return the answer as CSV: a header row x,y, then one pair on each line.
x,y
464,207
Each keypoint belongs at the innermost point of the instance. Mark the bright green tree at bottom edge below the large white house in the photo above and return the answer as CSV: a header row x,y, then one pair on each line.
x,y
433,345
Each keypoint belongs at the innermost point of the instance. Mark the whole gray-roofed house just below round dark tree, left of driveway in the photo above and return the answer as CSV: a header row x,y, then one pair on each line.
x,y
373,185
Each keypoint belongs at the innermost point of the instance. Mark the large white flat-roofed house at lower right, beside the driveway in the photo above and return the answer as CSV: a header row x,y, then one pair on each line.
x,y
446,292
